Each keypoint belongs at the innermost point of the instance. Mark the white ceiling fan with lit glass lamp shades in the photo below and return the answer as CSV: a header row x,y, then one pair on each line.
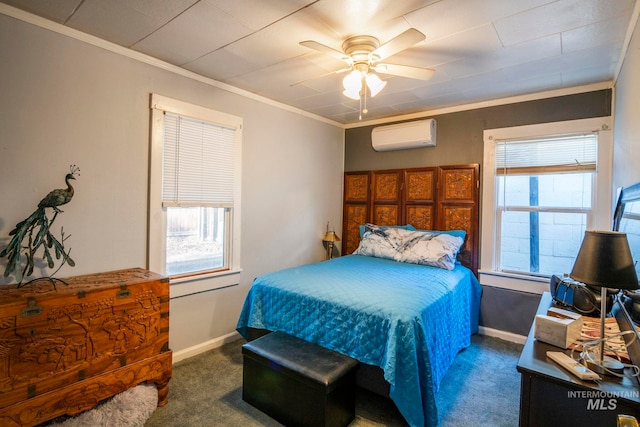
x,y
363,54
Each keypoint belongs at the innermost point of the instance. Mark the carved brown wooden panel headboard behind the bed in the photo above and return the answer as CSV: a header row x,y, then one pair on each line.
x,y
431,198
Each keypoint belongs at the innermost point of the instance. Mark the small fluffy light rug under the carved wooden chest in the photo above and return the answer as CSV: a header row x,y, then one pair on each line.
x,y
131,408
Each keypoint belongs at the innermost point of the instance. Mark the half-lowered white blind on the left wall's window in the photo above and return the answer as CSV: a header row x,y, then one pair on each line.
x,y
198,163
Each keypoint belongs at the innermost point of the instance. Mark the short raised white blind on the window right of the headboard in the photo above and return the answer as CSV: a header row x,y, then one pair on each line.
x,y
567,153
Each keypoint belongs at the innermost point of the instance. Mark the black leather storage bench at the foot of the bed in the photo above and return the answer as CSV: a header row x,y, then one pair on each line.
x,y
298,383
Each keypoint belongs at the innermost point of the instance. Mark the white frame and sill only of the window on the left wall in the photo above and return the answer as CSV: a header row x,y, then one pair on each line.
x,y
156,251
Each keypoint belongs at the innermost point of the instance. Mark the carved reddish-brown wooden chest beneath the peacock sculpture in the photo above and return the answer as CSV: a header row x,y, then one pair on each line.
x,y
63,350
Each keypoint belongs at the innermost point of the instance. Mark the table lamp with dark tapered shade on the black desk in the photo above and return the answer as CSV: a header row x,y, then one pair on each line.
x,y
604,261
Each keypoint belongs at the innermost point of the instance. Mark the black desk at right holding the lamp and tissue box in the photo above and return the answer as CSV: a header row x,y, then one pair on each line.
x,y
550,396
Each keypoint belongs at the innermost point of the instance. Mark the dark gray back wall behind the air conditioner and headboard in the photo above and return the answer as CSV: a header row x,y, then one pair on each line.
x,y
459,141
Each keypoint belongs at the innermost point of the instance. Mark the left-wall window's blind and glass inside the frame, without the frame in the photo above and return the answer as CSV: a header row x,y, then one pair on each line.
x,y
197,191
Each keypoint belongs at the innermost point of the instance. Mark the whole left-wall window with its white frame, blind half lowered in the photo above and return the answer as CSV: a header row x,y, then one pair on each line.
x,y
194,195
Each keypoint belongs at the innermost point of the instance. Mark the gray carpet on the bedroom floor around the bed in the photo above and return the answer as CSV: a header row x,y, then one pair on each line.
x,y
482,388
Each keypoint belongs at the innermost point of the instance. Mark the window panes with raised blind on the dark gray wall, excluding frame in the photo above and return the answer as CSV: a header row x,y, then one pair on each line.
x,y
543,201
